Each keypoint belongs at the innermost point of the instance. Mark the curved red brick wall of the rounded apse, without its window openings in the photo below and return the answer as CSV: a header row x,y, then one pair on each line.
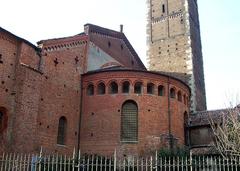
x,y
100,126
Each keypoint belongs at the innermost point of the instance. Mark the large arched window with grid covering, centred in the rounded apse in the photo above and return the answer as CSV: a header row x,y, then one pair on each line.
x,y
129,122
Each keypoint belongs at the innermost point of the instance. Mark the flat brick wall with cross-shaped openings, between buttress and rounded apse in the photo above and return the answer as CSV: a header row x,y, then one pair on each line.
x,y
63,63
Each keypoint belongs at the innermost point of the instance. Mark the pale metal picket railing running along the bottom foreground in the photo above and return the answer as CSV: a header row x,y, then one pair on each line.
x,y
40,162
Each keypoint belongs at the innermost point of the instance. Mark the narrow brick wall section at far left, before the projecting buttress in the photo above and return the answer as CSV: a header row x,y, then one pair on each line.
x,y
8,58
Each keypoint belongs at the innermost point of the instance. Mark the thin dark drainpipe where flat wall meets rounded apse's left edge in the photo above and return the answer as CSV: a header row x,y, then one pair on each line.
x,y
80,116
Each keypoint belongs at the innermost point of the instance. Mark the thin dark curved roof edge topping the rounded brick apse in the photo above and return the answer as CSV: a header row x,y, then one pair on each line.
x,y
133,70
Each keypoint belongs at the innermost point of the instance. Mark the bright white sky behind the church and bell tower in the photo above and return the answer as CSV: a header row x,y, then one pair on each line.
x,y
219,22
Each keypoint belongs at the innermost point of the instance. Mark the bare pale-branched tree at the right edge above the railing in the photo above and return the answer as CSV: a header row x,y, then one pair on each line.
x,y
227,132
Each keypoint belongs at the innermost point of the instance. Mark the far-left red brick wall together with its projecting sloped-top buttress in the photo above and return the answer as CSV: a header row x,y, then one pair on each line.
x,y
18,97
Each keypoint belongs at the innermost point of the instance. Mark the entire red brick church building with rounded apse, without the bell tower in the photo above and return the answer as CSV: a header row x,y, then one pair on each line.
x,y
77,92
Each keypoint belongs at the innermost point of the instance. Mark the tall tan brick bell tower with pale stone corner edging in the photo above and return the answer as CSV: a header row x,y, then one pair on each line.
x,y
174,44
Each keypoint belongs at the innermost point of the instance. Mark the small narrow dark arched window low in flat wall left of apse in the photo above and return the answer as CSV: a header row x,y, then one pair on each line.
x,y
62,128
